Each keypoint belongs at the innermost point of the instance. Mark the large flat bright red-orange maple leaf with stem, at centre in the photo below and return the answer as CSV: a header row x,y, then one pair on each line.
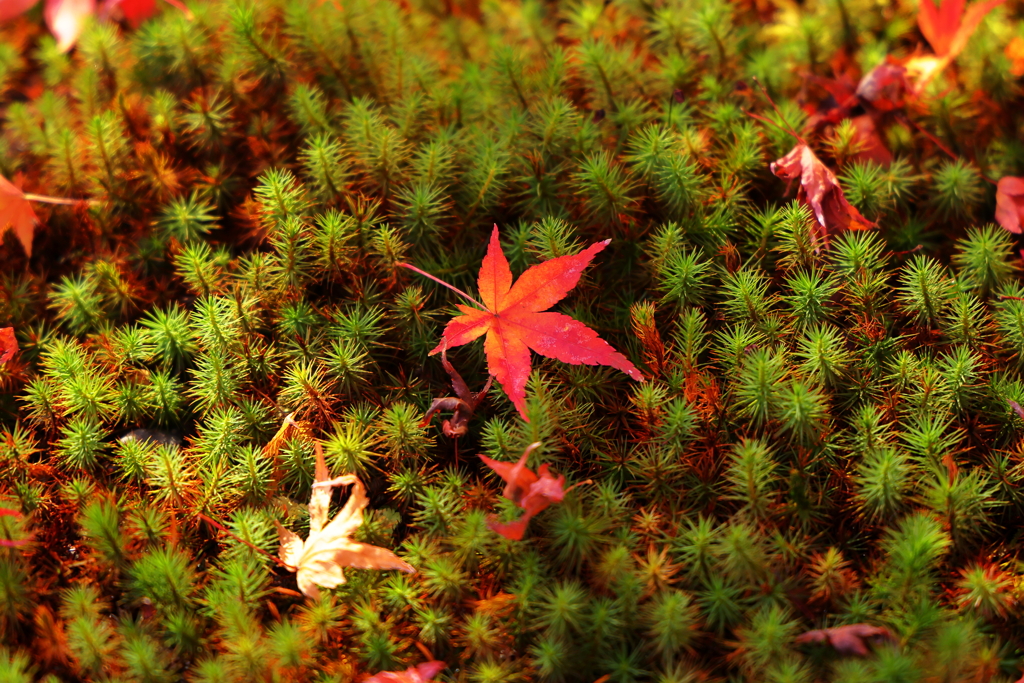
x,y
515,321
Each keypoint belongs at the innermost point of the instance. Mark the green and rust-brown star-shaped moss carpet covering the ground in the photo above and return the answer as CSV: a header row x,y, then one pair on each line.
x,y
827,436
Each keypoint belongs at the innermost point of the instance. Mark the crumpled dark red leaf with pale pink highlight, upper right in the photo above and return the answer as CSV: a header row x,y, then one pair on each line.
x,y
821,190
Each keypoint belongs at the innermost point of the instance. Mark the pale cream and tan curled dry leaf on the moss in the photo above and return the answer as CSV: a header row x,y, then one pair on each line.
x,y
319,560
